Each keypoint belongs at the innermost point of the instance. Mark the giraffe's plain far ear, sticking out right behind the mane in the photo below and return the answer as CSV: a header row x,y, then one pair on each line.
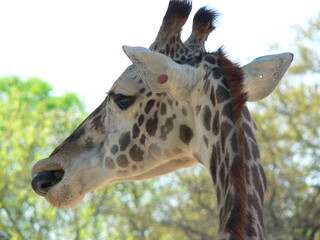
x,y
263,74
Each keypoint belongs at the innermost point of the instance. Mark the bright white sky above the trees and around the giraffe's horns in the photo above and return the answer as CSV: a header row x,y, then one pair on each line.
x,y
75,45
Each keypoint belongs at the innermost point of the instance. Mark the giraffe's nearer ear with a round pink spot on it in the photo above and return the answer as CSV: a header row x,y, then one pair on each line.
x,y
161,74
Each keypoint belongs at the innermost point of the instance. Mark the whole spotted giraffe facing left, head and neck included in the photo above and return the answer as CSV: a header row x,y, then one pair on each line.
x,y
177,105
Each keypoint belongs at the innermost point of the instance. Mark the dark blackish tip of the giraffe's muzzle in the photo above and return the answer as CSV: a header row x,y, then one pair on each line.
x,y
42,182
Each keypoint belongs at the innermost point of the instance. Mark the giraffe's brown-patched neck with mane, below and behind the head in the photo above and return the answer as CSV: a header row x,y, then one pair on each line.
x,y
230,153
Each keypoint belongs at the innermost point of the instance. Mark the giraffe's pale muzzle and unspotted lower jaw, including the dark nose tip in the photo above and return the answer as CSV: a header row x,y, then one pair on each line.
x,y
64,188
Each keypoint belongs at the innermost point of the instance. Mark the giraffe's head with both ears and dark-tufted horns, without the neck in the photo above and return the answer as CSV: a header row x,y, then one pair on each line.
x,y
146,126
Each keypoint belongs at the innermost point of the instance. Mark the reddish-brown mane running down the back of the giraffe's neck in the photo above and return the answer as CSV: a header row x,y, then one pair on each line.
x,y
234,78
